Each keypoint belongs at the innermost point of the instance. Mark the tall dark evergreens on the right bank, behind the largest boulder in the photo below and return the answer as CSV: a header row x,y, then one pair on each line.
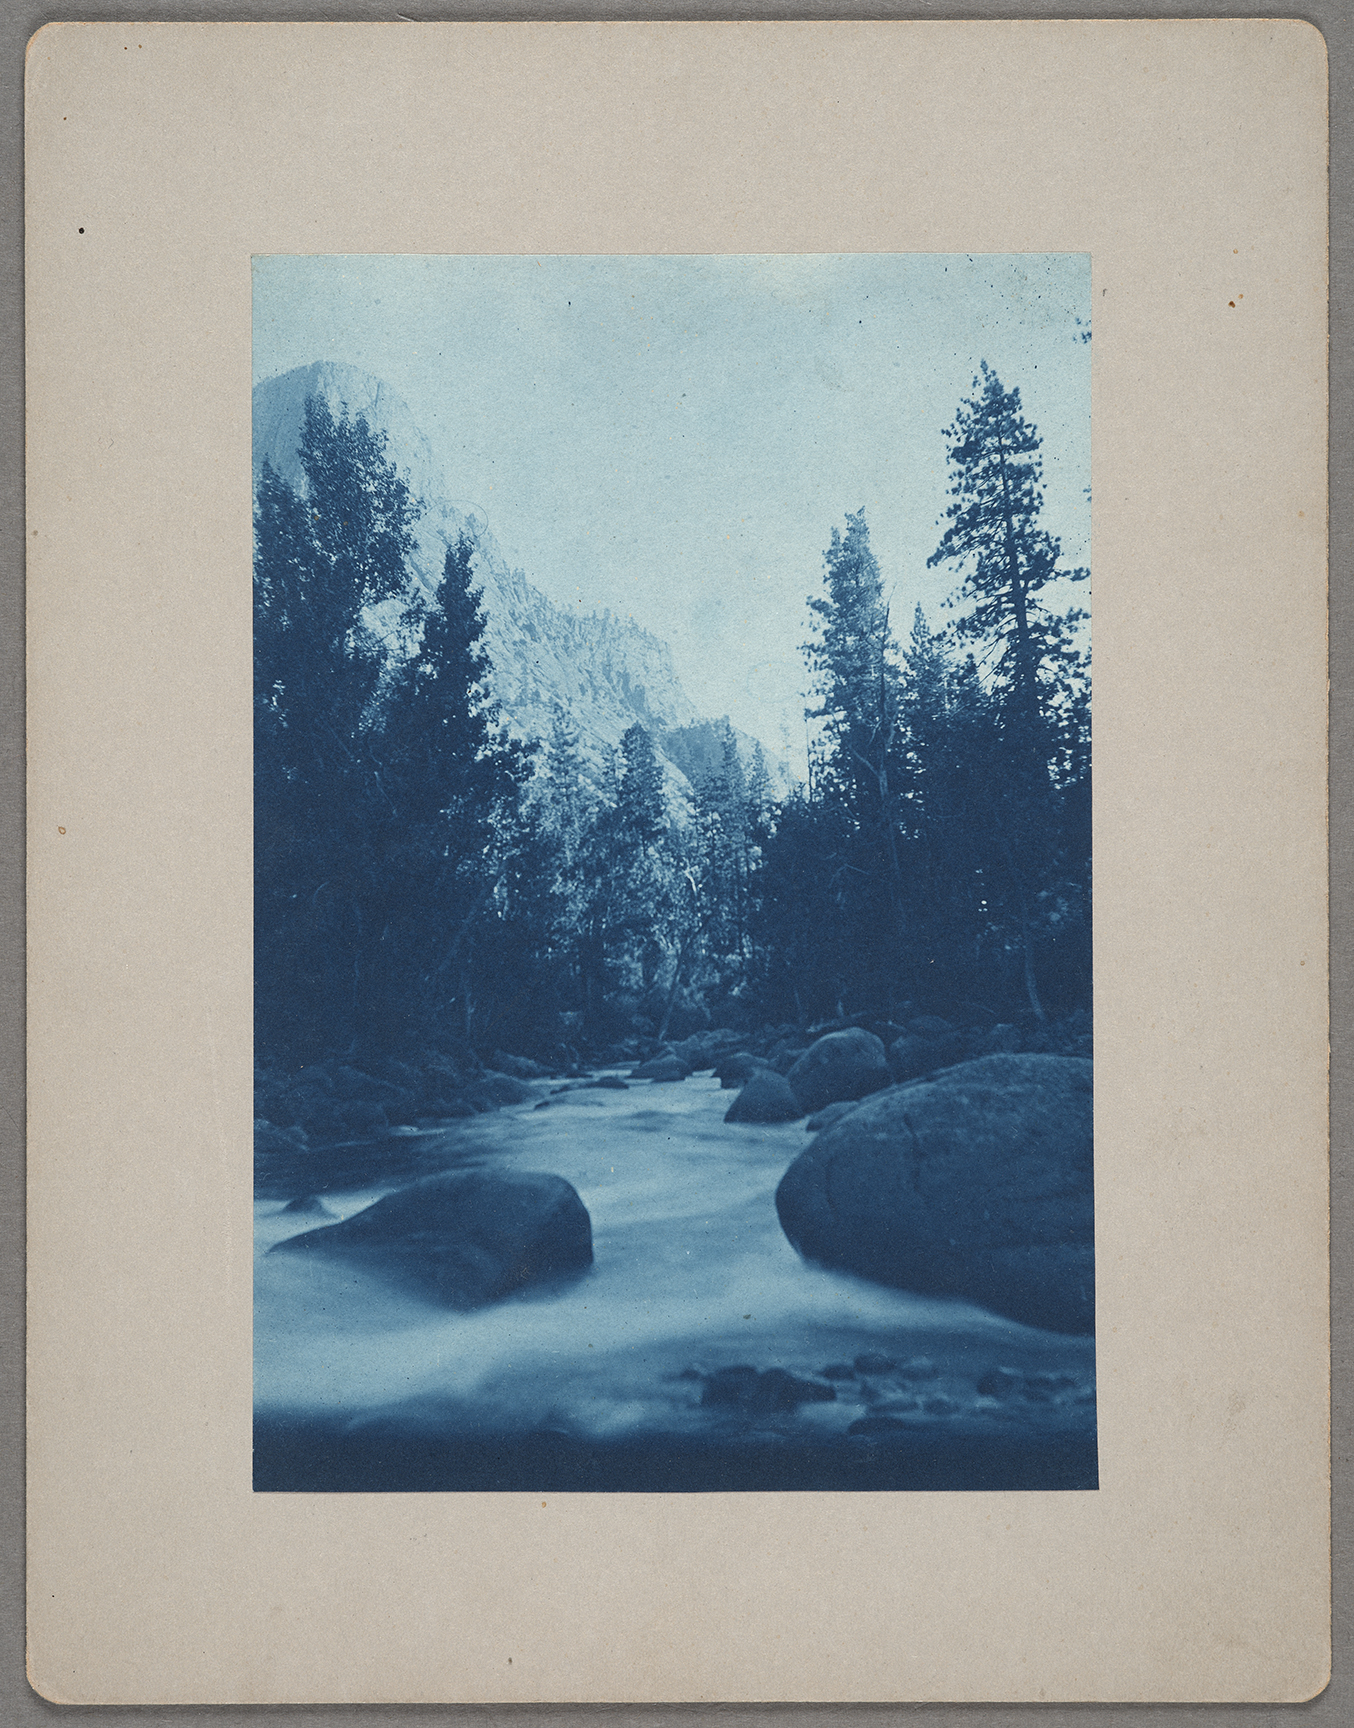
x,y
944,851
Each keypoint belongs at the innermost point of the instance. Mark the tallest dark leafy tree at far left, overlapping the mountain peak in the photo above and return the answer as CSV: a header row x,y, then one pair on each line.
x,y
322,561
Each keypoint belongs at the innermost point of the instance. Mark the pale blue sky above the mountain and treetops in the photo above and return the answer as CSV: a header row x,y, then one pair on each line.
x,y
676,438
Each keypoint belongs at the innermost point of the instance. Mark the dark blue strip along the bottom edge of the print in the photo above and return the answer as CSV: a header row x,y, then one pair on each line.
x,y
305,1456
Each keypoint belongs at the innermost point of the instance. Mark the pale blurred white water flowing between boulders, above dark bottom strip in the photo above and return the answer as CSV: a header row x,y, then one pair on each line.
x,y
692,1271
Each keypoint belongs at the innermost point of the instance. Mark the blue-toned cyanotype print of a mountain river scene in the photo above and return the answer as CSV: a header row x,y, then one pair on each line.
x,y
673,861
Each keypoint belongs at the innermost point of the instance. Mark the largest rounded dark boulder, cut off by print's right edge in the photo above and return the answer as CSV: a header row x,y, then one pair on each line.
x,y
975,1183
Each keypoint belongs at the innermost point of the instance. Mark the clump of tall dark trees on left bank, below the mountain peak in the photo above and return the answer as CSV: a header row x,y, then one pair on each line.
x,y
376,784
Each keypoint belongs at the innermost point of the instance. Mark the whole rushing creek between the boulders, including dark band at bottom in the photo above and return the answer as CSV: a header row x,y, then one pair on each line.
x,y
604,1382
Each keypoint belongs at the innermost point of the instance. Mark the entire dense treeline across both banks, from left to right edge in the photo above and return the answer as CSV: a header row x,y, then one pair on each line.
x,y
426,882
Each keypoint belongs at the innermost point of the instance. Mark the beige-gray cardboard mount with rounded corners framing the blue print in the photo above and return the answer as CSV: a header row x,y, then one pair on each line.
x,y
1189,160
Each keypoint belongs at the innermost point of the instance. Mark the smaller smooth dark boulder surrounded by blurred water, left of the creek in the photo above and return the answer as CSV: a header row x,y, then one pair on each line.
x,y
467,1236
